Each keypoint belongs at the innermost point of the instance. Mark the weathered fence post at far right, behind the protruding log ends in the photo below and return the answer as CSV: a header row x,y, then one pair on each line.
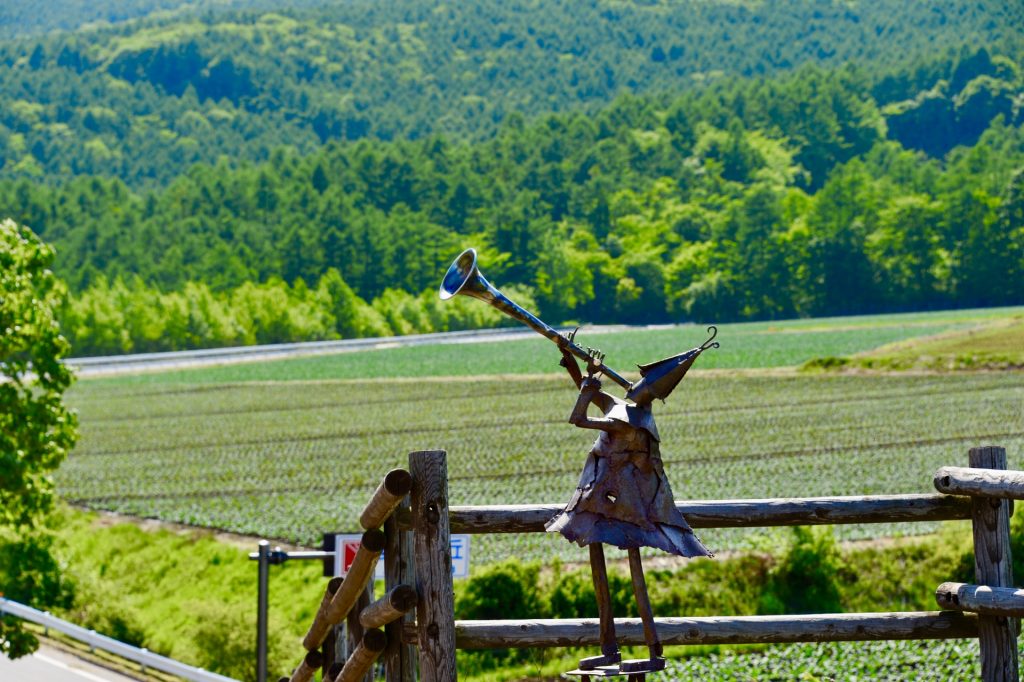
x,y
991,522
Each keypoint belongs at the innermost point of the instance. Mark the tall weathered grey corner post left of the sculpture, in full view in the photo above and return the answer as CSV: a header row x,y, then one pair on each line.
x,y
433,540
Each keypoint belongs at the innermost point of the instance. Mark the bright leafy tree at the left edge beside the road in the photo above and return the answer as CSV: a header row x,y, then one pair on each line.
x,y
36,430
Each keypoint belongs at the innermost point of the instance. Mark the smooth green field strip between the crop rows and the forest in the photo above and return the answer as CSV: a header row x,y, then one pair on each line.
x,y
744,346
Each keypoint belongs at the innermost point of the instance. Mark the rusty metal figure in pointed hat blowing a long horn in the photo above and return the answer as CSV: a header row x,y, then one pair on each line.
x,y
624,497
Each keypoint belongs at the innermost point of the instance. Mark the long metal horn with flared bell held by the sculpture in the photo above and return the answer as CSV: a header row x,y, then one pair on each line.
x,y
465,279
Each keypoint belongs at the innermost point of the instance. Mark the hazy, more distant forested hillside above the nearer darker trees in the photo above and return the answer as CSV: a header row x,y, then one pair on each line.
x,y
146,100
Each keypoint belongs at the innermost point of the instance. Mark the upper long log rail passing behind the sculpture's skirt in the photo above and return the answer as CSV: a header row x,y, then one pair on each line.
x,y
731,514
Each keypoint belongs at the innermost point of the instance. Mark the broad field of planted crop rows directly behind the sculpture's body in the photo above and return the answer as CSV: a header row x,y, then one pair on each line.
x,y
291,460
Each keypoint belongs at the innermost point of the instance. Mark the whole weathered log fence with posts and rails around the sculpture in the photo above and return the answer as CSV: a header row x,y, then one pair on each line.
x,y
418,574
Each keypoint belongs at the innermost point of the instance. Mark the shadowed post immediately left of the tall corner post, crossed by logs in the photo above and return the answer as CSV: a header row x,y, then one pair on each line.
x,y
399,570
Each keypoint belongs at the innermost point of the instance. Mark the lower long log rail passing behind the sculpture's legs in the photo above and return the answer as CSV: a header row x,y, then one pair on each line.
x,y
727,630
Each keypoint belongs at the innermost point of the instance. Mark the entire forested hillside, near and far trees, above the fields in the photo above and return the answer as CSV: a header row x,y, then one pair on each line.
x,y
214,180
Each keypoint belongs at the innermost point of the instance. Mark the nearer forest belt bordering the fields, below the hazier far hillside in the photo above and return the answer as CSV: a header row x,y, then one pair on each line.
x,y
749,199
